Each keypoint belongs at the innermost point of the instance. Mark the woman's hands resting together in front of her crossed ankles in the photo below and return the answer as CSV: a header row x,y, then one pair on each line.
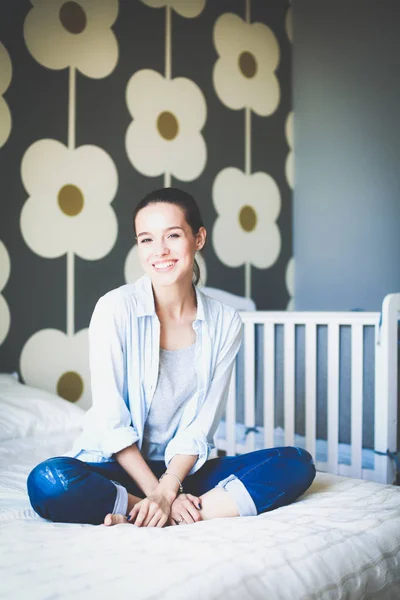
x,y
159,510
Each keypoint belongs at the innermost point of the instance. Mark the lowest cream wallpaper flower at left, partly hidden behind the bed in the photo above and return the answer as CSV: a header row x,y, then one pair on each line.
x,y
58,363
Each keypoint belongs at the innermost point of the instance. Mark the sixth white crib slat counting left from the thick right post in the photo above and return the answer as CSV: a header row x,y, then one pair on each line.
x,y
249,386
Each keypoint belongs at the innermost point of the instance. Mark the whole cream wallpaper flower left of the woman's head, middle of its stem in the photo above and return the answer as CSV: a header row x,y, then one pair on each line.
x,y
69,204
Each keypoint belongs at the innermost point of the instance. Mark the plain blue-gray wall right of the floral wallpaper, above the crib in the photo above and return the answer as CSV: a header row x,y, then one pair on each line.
x,y
347,150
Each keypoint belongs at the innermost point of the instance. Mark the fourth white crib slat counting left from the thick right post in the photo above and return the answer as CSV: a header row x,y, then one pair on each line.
x,y
289,379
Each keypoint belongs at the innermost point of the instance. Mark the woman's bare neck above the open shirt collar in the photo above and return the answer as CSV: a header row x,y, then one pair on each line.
x,y
175,301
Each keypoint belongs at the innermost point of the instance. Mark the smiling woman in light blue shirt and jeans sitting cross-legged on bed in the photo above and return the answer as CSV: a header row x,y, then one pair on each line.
x,y
161,358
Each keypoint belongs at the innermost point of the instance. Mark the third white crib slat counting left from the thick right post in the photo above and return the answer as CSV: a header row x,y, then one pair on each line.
x,y
311,387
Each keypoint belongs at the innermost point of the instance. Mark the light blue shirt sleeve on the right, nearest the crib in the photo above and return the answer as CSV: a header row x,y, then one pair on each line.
x,y
196,439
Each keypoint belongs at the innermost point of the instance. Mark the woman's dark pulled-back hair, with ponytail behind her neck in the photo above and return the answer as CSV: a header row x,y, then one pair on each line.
x,y
186,203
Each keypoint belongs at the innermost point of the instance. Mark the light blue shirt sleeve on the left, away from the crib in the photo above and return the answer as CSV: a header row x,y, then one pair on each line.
x,y
114,427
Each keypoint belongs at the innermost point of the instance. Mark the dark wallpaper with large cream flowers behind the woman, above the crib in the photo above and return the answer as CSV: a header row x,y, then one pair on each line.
x,y
102,101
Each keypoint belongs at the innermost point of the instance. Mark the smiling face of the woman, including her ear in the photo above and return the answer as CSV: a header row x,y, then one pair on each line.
x,y
166,243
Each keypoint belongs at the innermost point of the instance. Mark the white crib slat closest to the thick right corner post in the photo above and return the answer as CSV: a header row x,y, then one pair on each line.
x,y
357,347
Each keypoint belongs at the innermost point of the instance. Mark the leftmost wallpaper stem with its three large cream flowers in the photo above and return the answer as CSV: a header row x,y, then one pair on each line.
x,y
69,188
